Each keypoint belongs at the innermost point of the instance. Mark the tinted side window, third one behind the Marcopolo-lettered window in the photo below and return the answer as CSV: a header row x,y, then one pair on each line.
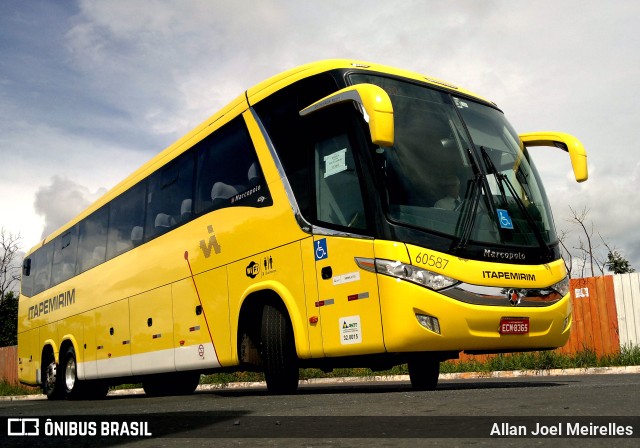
x,y
92,240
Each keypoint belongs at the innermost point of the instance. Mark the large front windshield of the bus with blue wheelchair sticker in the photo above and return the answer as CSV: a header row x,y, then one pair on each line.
x,y
457,168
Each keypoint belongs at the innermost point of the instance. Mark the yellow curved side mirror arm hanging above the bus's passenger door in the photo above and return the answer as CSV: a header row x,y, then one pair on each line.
x,y
374,103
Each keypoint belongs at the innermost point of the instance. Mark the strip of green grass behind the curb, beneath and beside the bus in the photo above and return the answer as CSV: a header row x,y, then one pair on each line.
x,y
546,360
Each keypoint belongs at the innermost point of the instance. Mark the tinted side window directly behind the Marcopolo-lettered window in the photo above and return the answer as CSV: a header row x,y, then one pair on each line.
x,y
170,197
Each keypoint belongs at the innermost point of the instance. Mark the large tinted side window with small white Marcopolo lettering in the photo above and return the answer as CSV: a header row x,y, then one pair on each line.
x,y
228,171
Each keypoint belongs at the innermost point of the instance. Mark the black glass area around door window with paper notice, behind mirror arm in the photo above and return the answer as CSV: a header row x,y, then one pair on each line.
x,y
317,152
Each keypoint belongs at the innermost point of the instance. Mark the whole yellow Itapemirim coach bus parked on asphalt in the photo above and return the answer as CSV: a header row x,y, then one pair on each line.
x,y
338,214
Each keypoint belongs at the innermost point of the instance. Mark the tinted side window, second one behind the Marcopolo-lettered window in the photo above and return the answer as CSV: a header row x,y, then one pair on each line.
x,y
126,220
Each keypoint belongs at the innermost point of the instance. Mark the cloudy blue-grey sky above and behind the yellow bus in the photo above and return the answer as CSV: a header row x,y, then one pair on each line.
x,y
90,90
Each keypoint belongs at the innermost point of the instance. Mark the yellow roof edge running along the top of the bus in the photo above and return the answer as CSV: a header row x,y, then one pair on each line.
x,y
236,107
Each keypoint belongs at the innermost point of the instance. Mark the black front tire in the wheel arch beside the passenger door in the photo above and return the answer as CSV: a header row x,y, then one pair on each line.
x,y
278,352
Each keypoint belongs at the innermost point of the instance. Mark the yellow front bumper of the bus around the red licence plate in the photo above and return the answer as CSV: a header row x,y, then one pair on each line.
x,y
463,326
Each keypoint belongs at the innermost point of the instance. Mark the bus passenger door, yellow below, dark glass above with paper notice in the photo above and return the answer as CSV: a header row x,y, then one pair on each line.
x,y
348,296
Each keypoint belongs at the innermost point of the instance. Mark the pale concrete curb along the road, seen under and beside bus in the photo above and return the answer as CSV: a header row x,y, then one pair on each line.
x,y
383,378
